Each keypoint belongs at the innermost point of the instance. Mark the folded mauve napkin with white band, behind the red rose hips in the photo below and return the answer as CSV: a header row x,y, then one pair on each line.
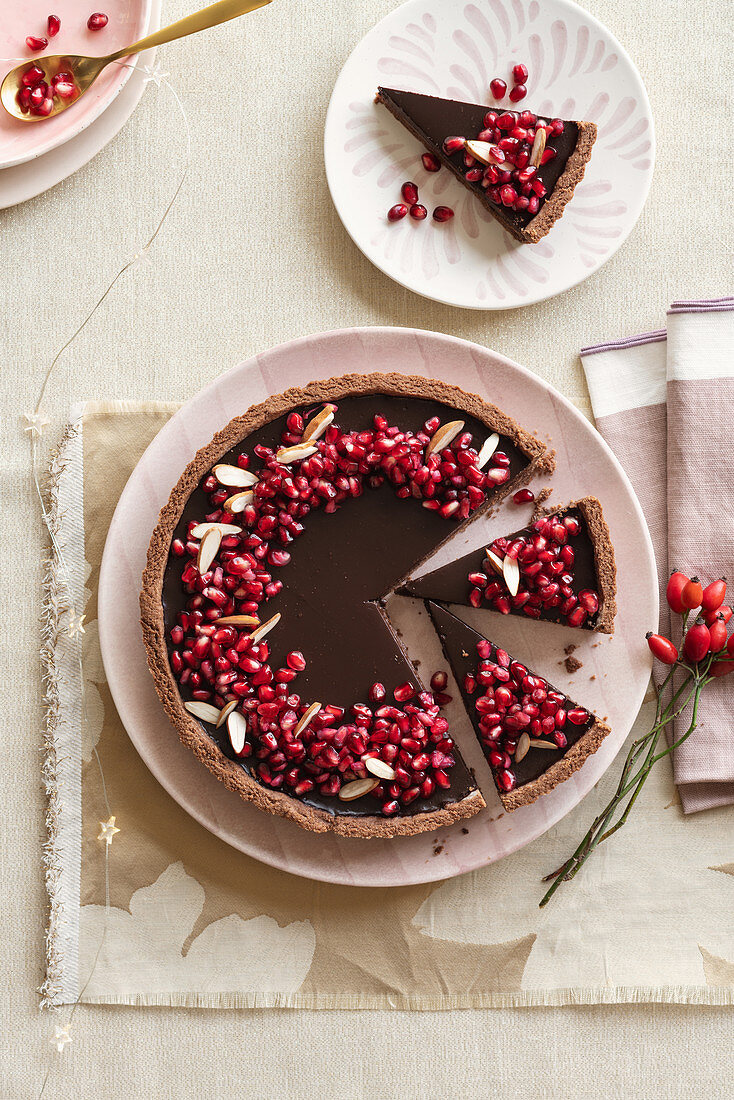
x,y
663,401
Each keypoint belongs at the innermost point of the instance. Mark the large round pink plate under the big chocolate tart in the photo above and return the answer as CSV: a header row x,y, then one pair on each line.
x,y
621,665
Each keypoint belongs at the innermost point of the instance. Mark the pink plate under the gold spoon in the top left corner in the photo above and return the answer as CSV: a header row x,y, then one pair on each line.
x,y
129,20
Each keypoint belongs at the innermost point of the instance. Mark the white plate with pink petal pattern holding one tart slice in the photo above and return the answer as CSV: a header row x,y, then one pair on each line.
x,y
453,49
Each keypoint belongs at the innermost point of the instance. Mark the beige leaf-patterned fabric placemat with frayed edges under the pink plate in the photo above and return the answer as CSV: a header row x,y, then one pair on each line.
x,y
193,922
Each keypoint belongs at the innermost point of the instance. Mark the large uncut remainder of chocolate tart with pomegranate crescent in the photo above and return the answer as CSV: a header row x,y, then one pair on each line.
x,y
325,496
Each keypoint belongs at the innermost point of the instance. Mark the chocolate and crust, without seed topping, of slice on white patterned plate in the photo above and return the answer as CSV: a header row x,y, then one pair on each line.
x,y
434,120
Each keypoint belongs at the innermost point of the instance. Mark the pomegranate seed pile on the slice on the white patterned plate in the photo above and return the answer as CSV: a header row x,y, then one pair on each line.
x,y
518,146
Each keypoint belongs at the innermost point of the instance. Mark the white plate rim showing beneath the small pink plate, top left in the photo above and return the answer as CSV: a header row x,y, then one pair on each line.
x,y
34,178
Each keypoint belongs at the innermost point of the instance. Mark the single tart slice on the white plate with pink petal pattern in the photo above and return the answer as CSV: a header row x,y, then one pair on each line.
x,y
522,169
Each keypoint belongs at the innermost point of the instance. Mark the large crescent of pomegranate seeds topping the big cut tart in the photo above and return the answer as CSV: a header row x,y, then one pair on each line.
x,y
222,663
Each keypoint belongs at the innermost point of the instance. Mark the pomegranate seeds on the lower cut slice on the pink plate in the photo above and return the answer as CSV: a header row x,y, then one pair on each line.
x,y
518,712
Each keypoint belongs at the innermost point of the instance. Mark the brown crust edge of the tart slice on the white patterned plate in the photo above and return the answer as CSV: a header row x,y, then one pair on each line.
x,y
555,205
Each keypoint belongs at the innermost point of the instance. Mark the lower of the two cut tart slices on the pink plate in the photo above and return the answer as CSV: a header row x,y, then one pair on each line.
x,y
533,735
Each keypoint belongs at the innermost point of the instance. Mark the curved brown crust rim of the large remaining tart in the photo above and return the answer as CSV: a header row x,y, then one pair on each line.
x,y
152,620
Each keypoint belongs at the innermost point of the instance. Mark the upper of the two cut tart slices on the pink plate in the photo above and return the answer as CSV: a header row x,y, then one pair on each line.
x,y
561,569
